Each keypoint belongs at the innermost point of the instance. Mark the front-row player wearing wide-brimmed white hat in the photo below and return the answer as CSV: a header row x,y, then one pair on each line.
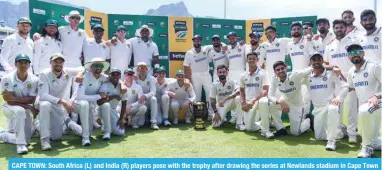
x,y
86,97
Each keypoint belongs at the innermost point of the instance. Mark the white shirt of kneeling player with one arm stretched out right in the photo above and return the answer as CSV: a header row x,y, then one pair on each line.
x,y
291,87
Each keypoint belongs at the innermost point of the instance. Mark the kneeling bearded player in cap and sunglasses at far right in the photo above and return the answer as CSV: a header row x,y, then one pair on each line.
x,y
365,78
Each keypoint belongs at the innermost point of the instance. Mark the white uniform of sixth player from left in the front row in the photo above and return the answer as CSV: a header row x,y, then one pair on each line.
x,y
149,91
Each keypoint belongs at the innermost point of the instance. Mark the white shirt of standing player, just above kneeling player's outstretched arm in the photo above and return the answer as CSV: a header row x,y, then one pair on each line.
x,y
299,53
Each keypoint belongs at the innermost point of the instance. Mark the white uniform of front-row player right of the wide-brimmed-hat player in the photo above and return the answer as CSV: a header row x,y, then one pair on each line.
x,y
110,90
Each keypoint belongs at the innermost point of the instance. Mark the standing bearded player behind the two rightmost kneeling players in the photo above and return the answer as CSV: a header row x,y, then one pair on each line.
x,y
336,55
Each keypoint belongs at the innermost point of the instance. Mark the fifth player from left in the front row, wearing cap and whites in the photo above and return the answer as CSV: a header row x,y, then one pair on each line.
x,y
134,94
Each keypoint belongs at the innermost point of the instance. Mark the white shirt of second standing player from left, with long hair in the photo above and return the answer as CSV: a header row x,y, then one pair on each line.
x,y
43,50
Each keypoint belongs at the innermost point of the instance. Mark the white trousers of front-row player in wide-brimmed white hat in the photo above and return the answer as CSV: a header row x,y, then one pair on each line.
x,y
87,113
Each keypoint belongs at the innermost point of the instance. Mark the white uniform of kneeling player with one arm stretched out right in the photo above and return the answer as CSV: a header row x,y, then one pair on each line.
x,y
291,93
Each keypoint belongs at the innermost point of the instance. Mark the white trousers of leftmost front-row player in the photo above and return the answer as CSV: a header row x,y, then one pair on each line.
x,y
19,124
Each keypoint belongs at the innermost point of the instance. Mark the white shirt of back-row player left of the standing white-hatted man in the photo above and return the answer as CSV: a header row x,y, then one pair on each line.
x,y
120,55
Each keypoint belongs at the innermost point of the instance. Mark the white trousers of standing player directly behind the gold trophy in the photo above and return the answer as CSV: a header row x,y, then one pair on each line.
x,y
201,81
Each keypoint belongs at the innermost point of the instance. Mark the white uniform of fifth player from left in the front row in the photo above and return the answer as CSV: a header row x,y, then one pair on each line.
x,y
134,92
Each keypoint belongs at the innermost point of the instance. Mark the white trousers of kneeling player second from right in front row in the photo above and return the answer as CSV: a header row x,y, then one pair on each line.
x,y
326,122
